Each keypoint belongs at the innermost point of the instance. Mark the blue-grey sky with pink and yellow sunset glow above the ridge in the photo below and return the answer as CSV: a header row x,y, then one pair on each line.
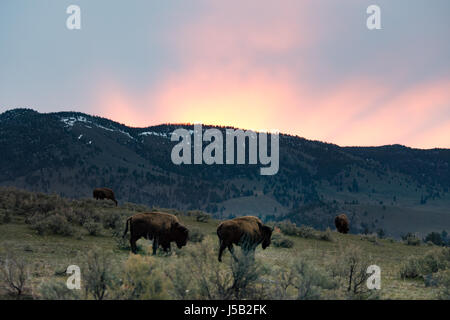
x,y
307,68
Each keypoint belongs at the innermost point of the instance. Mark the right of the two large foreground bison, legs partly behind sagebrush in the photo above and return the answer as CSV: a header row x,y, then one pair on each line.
x,y
247,232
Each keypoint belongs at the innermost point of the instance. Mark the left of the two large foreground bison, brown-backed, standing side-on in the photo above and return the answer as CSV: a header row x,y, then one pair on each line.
x,y
162,228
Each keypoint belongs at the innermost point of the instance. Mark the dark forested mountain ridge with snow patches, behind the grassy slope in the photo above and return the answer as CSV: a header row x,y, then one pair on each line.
x,y
393,188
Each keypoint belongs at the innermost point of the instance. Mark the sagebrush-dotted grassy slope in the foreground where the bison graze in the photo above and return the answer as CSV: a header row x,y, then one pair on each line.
x,y
87,232
